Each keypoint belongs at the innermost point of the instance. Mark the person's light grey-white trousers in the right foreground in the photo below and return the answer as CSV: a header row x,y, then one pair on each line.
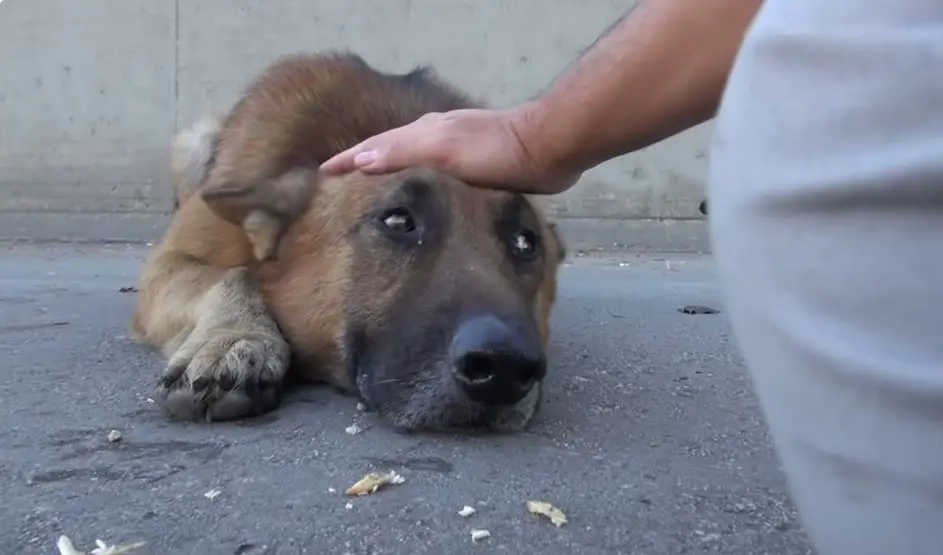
x,y
826,209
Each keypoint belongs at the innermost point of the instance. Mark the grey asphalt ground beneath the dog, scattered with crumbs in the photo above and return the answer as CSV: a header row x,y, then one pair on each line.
x,y
650,439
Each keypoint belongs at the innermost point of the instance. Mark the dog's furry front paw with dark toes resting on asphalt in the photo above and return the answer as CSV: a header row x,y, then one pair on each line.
x,y
224,377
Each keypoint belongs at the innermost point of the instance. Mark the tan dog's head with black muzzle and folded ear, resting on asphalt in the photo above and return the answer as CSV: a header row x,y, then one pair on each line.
x,y
427,296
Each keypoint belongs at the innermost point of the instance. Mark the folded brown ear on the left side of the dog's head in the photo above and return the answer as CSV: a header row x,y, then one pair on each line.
x,y
264,210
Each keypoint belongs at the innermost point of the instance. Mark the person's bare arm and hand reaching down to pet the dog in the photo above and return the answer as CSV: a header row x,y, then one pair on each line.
x,y
658,71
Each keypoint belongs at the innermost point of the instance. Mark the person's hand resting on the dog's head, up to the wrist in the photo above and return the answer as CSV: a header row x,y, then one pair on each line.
x,y
486,148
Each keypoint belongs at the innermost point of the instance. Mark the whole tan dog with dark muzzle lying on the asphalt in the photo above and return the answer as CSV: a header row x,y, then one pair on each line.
x,y
426,297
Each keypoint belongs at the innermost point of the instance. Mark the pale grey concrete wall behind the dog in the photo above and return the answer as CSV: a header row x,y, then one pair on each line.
x,y
92,91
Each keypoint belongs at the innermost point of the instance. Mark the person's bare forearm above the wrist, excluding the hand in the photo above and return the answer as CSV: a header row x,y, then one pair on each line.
x,y
659,71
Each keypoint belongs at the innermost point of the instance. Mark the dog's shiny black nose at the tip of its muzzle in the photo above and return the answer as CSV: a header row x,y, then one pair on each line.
x,y
494,363
